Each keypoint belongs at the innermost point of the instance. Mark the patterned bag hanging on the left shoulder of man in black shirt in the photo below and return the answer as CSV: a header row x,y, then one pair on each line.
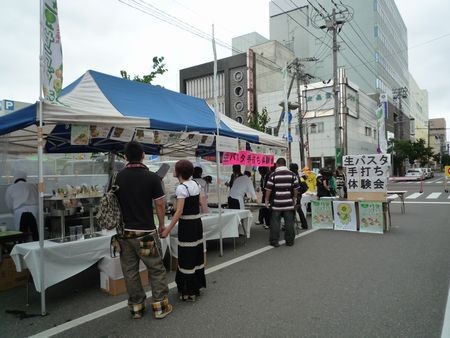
x,y
109,215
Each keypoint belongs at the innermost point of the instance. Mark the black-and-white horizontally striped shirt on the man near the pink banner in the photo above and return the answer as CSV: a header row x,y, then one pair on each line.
x,y
282,183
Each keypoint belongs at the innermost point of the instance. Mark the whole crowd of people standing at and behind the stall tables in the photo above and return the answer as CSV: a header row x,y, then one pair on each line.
x,y
139,191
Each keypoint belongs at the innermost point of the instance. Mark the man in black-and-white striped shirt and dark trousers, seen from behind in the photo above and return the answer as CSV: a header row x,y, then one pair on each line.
x,y
281,192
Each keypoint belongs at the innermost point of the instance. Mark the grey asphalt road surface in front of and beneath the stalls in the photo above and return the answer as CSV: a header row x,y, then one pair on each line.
x,y
329,284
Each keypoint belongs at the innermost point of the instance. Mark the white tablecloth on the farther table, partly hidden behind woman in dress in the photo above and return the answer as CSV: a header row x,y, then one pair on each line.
x,y
229,226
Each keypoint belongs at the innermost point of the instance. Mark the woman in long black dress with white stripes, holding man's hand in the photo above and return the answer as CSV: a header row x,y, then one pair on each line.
x,y
190,277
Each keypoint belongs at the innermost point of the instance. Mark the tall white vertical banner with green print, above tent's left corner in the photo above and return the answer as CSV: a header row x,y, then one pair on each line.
x,y
51,57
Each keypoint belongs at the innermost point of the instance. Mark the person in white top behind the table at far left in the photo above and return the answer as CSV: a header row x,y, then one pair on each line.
x,y
22,199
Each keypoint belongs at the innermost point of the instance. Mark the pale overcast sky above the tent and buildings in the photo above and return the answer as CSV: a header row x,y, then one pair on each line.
x,y
107,35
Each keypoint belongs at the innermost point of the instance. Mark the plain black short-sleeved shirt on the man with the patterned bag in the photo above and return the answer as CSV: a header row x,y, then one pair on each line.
x,y
138,188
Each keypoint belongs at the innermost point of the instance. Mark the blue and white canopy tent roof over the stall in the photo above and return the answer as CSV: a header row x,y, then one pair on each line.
x,y
97,99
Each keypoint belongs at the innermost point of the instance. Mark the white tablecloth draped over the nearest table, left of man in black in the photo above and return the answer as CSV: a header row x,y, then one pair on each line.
x,y
62,260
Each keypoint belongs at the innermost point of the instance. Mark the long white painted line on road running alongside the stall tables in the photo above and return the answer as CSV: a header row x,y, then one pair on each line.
x,y
107,310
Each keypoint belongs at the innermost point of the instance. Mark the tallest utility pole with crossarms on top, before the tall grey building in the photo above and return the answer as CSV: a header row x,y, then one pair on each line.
x,y
333,22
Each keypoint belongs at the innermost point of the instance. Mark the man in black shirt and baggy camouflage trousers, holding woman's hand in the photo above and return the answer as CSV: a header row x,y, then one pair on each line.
x,y
138,189
